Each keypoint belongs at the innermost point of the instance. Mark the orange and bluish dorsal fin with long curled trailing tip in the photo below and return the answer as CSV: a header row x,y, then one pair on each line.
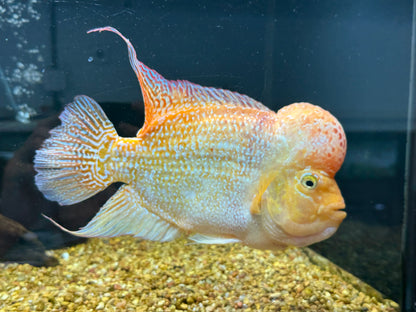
x,y
161,95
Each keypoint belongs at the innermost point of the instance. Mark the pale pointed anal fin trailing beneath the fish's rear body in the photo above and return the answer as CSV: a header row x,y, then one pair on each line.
x,y
125,214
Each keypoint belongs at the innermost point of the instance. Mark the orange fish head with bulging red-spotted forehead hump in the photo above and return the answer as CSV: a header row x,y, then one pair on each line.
x,y
302,204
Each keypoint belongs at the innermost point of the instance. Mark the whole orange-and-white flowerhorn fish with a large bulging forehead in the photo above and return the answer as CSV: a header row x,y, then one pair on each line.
x,y
209,163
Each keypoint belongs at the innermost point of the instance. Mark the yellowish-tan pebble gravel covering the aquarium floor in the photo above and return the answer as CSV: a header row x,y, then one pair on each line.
x,y
125,274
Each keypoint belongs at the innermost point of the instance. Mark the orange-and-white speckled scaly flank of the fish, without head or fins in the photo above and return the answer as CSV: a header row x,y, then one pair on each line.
x,y
212,169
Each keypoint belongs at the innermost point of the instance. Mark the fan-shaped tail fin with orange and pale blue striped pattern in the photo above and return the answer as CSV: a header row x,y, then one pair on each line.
x,y
72,165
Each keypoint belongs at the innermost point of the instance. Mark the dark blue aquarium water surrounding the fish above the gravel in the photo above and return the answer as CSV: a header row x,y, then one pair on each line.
x,y
352,59
